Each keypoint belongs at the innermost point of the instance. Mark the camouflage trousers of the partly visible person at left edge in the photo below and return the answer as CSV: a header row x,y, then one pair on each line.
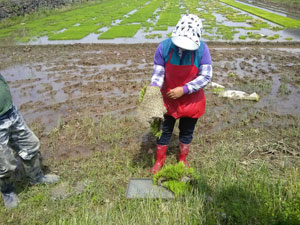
x,y
17,144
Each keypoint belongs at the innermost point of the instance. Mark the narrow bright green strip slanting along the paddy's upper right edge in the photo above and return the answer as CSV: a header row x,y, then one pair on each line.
x,y
281,20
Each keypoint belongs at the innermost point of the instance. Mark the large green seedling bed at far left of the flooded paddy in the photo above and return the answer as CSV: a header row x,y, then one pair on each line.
x,y
90,18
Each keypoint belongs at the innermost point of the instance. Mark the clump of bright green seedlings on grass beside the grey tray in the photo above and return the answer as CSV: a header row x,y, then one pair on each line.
x,y
177,178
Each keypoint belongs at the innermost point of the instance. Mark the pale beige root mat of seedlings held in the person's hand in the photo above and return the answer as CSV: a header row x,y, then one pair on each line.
x,y
151,107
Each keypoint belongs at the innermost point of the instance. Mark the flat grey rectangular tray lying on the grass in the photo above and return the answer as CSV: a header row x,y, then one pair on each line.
x,y
144,188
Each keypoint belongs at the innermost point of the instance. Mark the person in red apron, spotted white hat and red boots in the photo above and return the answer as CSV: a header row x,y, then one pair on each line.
x,y
182,68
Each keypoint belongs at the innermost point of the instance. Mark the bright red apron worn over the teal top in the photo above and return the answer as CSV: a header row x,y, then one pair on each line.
x,y
189,105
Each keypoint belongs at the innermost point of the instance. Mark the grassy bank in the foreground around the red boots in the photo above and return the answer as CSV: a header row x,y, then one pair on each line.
x,y
238,183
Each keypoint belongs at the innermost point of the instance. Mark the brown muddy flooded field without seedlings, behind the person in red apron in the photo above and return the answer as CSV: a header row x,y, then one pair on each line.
x,y
52,82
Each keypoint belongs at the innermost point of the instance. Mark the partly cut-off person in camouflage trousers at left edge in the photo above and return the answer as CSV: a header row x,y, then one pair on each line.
x,y
17,138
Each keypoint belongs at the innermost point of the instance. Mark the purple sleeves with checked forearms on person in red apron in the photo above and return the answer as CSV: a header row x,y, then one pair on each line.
x,y
204,75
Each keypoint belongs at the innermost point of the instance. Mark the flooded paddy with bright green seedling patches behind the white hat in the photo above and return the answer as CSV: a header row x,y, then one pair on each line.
x,y
221,22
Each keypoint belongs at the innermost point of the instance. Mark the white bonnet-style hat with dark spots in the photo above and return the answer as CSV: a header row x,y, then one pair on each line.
x,y
187,33
